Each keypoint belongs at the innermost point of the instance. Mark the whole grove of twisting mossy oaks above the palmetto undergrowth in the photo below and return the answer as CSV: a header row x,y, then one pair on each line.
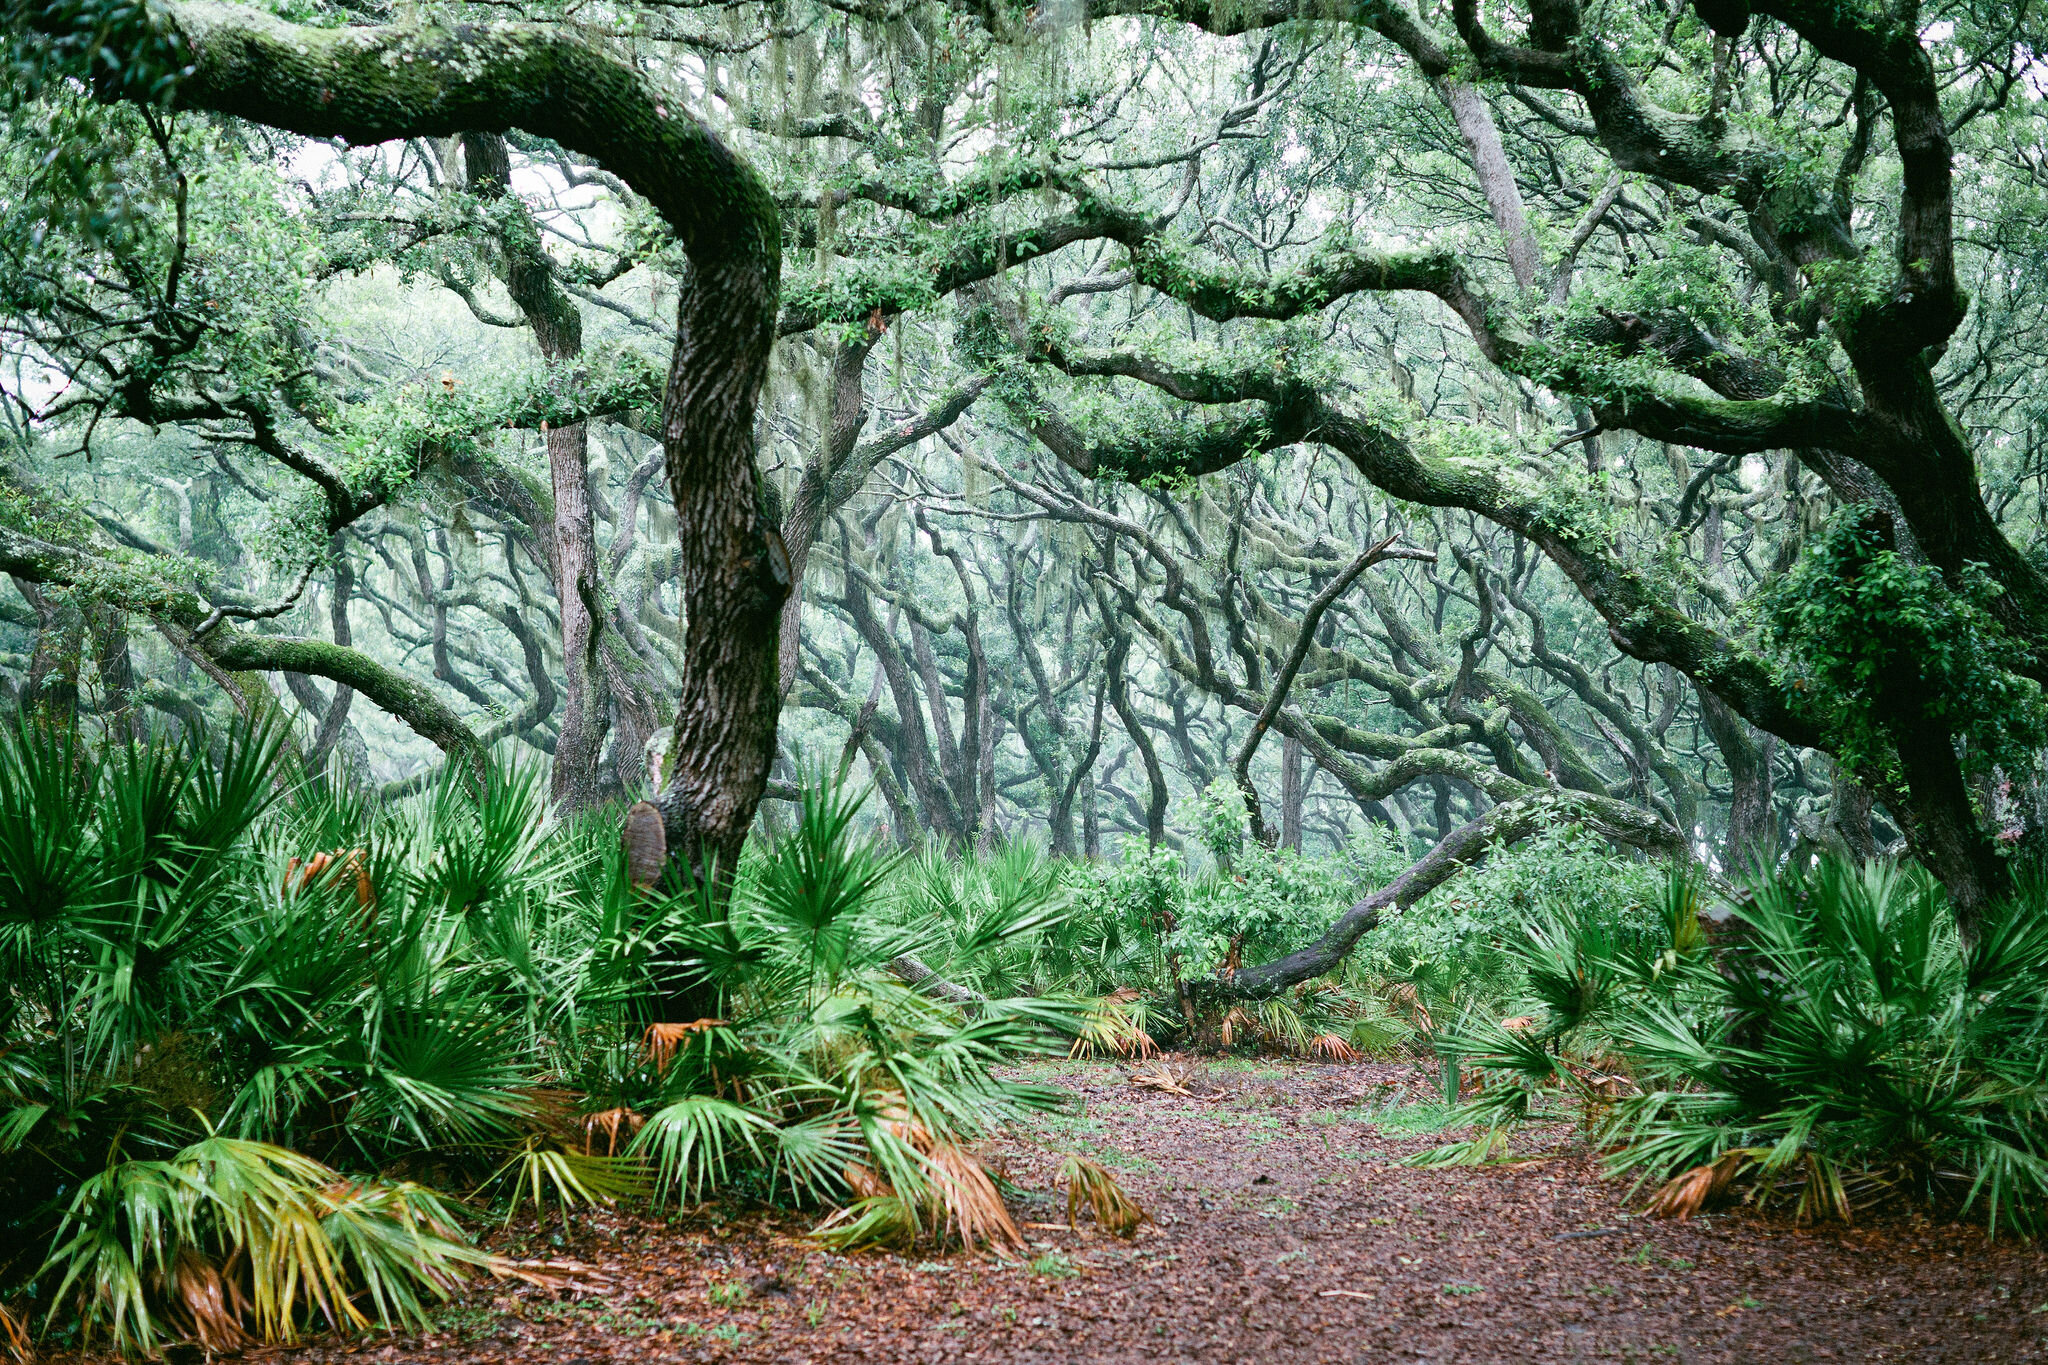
x,y
1105,345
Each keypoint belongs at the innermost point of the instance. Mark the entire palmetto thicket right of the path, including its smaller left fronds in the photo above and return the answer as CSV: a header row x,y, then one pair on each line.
x,y
1836,1049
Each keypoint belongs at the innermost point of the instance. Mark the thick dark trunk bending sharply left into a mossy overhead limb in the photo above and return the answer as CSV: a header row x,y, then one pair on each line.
x,y
437,81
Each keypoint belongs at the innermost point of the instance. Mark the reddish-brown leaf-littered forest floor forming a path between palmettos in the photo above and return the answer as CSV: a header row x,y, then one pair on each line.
x,y
1285,1233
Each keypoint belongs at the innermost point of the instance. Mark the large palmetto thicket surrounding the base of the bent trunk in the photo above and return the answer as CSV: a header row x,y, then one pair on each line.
x,y
239,1010
